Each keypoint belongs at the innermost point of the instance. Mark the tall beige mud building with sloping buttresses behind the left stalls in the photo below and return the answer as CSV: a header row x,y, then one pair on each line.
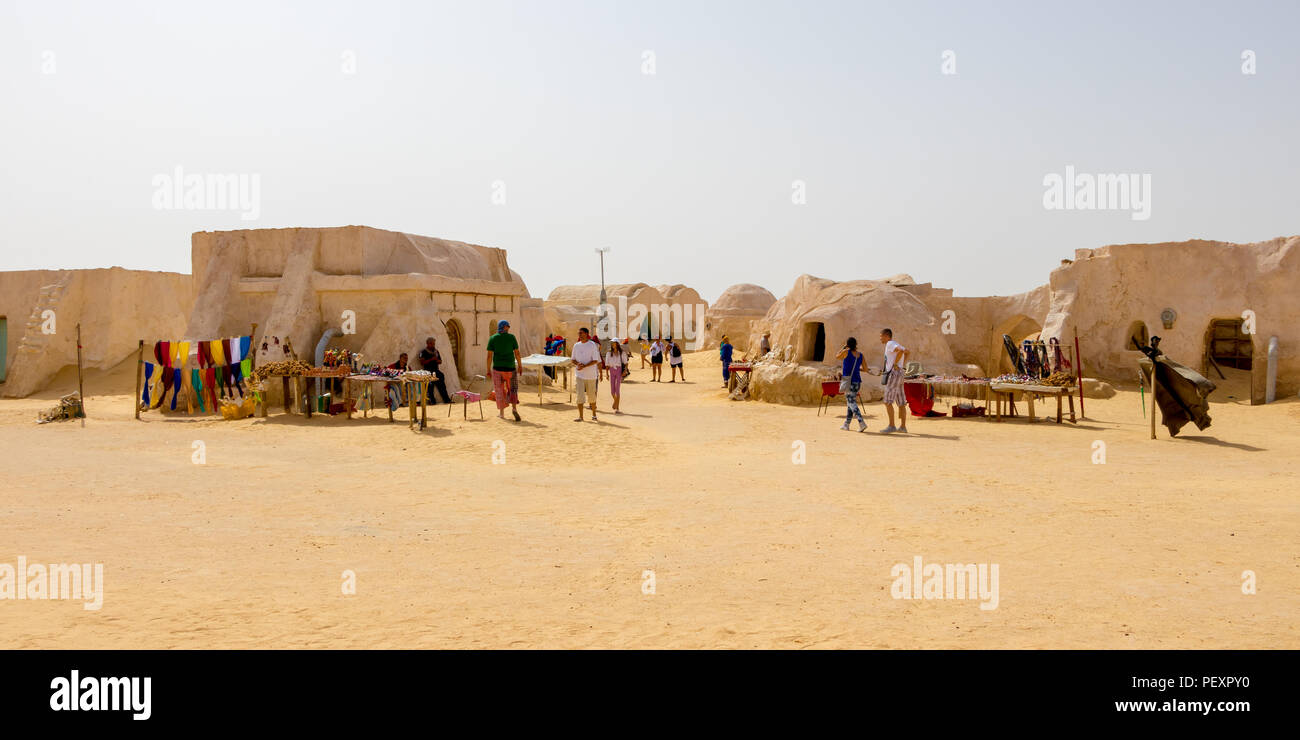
x,y
369,291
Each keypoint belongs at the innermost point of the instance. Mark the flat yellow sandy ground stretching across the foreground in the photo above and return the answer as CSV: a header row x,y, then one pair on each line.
x,y
748,549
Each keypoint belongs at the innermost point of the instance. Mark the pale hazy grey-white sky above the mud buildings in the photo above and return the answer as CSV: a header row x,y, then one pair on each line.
x,y
688,174
